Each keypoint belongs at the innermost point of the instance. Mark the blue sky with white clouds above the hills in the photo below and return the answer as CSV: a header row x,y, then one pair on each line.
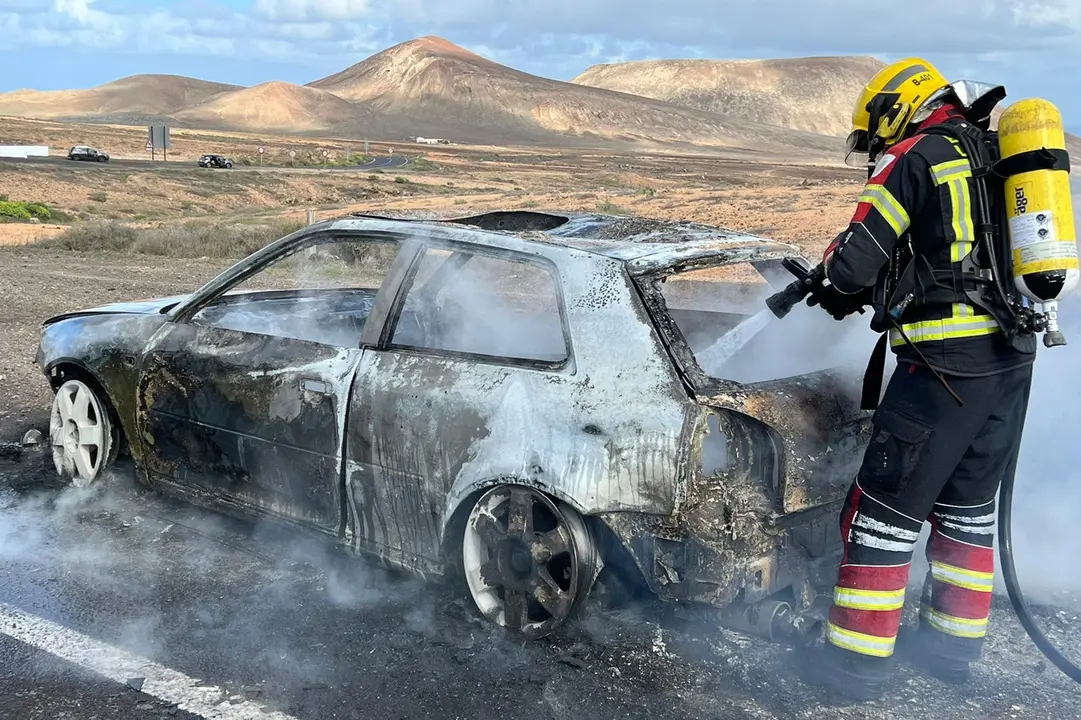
x,y
1033,47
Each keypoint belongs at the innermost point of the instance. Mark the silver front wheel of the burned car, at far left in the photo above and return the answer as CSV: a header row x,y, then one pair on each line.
x,y
81,434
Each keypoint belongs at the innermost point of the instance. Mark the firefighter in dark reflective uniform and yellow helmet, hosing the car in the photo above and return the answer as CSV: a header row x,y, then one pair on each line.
x,y
950,424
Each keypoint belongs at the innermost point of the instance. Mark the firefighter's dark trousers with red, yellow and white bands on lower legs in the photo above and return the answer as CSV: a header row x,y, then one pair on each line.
x,y
929,459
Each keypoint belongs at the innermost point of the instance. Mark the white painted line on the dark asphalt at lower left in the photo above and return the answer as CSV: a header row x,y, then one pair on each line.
x,y
208,702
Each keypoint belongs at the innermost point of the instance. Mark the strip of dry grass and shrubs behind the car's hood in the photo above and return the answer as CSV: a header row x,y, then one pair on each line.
x,y
192,239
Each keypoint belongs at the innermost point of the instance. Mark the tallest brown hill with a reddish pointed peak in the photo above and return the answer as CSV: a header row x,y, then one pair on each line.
x,y
434,87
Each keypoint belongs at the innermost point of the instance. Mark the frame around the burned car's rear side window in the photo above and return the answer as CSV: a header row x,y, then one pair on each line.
x,y
406,284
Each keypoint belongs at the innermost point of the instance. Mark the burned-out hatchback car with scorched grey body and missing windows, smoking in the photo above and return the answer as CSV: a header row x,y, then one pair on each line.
x,y
537,405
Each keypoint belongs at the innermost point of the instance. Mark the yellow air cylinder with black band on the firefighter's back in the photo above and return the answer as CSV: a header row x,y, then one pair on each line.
x,y
1039,207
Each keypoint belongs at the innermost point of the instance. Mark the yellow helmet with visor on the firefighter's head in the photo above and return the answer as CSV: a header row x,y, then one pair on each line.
x,y
891,102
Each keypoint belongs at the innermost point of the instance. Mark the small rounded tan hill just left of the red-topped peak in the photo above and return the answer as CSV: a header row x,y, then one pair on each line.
x,y
276,108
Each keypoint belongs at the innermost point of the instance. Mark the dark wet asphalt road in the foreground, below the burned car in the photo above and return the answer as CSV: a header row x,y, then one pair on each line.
x,y
118,603
